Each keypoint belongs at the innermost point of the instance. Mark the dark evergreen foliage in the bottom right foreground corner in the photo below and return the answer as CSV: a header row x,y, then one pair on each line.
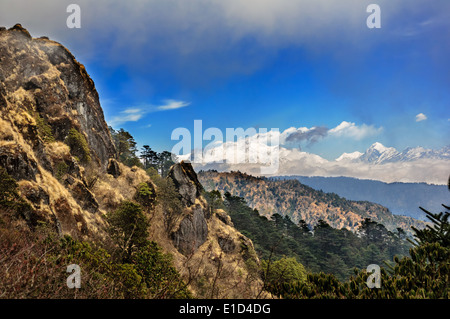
x,y
424,274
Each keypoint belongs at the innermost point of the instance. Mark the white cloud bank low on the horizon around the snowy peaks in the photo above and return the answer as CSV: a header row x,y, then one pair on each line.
x,y
297,162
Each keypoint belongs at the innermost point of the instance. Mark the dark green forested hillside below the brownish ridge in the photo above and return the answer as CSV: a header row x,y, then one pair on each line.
x,y
320,249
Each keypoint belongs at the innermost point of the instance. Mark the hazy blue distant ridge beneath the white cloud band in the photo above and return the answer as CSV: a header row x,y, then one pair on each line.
x,y
400,198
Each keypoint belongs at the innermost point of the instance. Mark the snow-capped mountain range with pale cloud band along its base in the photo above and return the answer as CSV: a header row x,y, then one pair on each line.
x,y
378,162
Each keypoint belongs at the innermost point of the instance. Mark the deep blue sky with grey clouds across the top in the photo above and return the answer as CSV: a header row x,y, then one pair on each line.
x,y
159,65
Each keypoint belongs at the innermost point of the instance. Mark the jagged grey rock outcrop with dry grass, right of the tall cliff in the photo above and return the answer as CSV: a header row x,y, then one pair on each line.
x,y
210,245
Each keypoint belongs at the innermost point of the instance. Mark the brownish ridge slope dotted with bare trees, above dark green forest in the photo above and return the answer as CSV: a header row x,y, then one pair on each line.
x,y
300,202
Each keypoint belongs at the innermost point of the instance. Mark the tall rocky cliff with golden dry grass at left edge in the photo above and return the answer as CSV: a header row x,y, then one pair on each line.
x,y
45,94
